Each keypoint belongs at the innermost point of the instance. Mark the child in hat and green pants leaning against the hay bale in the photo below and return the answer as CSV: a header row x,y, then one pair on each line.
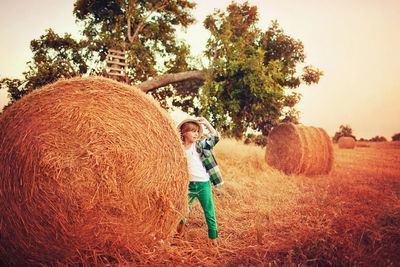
x,y
203,169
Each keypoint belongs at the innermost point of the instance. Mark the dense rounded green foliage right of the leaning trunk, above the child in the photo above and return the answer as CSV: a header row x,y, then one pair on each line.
x,y
253,73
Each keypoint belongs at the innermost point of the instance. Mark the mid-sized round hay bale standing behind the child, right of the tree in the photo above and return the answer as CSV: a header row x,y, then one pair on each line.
x,y
297,149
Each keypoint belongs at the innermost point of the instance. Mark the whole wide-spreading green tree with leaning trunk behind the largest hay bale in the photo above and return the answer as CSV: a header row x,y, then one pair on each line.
x,y
251,76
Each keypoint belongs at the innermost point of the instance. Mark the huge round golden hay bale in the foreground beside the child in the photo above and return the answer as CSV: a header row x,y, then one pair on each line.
x,y
91,170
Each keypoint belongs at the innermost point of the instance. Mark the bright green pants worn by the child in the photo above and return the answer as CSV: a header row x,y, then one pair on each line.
x,y
202,191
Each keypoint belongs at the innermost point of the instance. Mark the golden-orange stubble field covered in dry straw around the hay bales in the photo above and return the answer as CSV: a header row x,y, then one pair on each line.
x,y
349,217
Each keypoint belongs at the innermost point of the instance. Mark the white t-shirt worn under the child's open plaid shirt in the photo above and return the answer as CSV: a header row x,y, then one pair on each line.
x,y
196,169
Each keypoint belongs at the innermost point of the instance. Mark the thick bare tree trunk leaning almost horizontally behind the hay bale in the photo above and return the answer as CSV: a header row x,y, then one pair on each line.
x,y
166,79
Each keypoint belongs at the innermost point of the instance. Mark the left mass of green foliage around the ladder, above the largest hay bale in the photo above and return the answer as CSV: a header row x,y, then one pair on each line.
x,y
153,50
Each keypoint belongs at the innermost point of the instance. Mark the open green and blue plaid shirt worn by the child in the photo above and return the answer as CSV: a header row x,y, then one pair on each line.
x,y
207,157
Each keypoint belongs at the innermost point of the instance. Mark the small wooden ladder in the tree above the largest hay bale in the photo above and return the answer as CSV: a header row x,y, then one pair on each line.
x,y
116,64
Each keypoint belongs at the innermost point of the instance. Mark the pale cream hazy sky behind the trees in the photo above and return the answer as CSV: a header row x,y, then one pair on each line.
x,y
354,42
